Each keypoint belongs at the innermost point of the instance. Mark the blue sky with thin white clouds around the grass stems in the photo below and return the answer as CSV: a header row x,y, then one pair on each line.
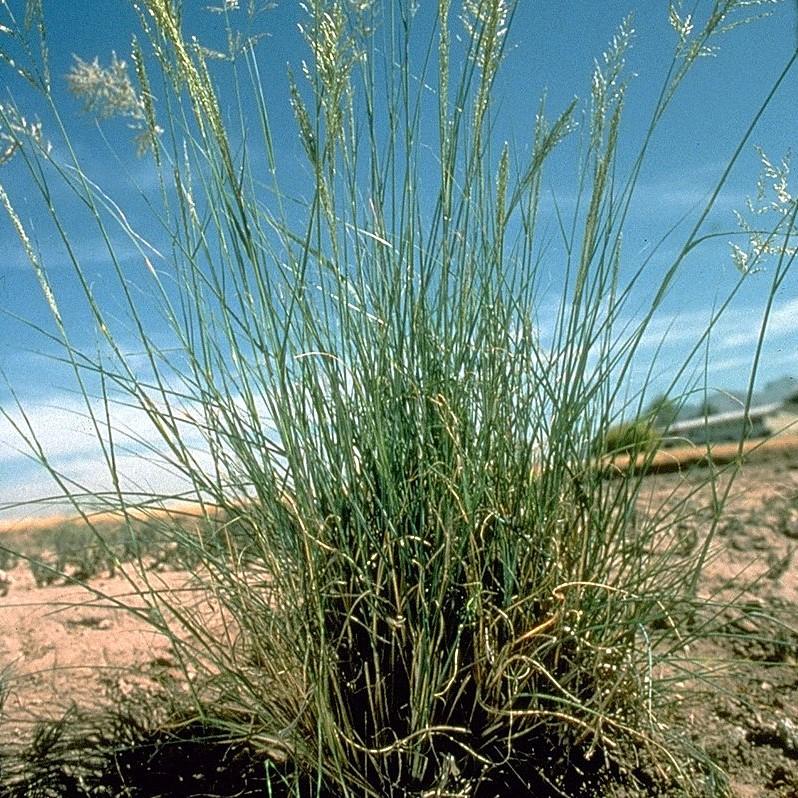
x,y
551,48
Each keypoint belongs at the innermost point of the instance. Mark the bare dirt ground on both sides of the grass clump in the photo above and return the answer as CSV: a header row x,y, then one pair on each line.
x,y
60,644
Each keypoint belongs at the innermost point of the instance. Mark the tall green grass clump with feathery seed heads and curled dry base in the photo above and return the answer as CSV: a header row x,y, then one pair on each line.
x,y
423,586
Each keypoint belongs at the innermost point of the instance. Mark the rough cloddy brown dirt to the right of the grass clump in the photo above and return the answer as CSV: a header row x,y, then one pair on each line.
x,y
747,717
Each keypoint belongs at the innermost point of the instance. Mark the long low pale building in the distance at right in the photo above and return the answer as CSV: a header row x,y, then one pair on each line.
x,y
723,418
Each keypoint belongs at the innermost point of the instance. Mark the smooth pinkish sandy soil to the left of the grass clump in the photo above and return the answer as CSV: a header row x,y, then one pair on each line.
x,y
62,645
